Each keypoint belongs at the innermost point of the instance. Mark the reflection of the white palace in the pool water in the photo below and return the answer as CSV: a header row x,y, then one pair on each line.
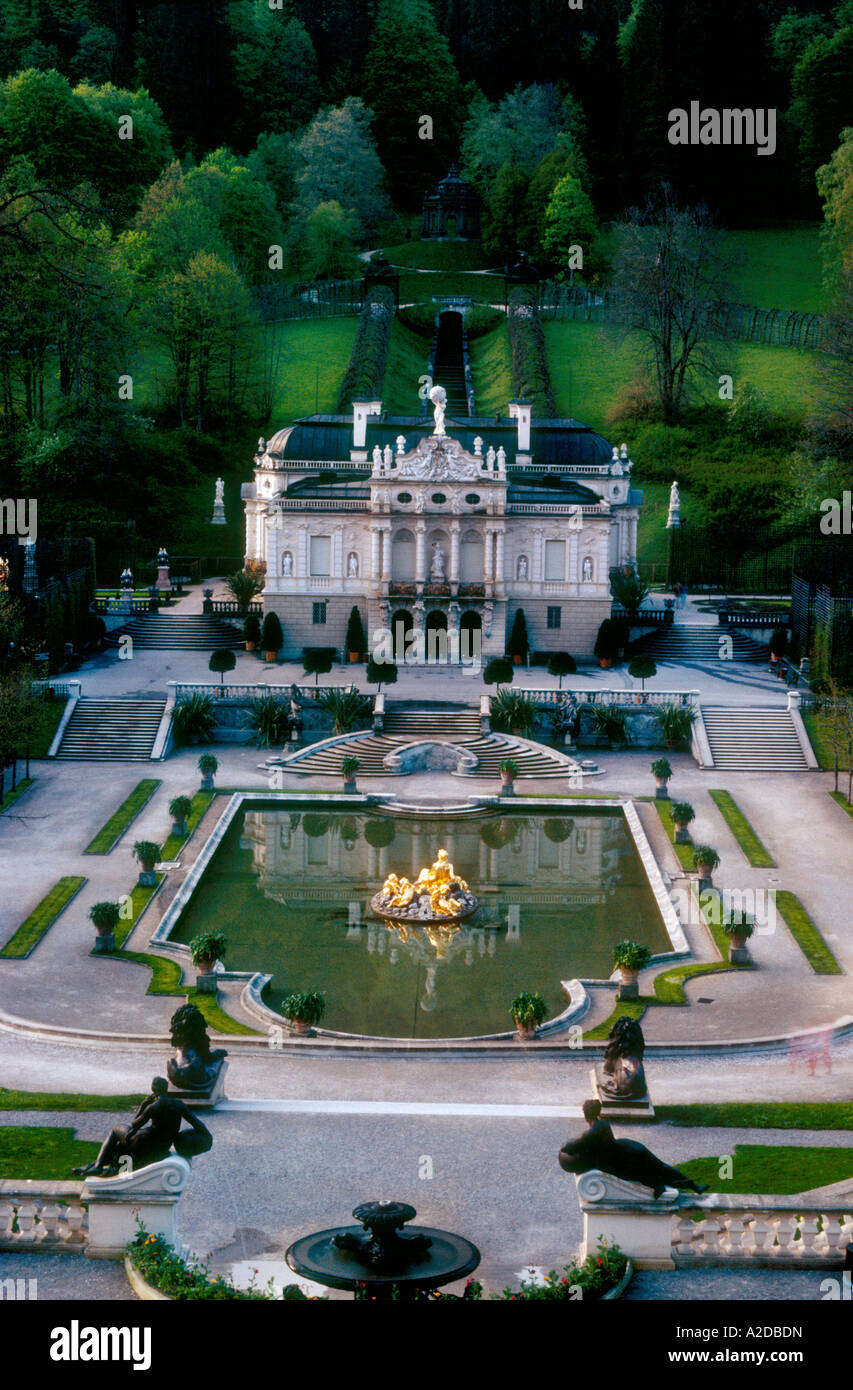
x,y
512,864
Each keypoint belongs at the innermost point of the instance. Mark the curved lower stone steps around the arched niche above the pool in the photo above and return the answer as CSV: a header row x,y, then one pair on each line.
x,y
490,750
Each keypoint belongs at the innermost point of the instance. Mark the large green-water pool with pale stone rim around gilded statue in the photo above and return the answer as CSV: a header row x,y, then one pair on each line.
x,y
292,882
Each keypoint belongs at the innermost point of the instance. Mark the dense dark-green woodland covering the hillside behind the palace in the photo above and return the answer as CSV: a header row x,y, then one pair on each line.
x,y
270,144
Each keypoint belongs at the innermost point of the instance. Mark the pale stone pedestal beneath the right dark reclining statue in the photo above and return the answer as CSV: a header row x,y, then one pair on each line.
x,y
629,1216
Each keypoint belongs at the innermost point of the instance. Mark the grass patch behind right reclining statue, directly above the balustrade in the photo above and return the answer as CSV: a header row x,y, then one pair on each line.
x,y
763,1168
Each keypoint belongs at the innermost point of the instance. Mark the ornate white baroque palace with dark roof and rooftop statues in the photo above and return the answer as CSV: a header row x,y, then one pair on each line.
x,y
440,534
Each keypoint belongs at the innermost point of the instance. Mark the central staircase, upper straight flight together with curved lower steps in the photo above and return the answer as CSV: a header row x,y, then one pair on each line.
x,y
402,728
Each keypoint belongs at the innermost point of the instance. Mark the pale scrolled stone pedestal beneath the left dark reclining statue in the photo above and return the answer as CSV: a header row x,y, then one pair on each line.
x,y
116,1204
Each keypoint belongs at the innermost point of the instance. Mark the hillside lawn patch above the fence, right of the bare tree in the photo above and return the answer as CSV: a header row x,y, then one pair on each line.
x,y
781,268
